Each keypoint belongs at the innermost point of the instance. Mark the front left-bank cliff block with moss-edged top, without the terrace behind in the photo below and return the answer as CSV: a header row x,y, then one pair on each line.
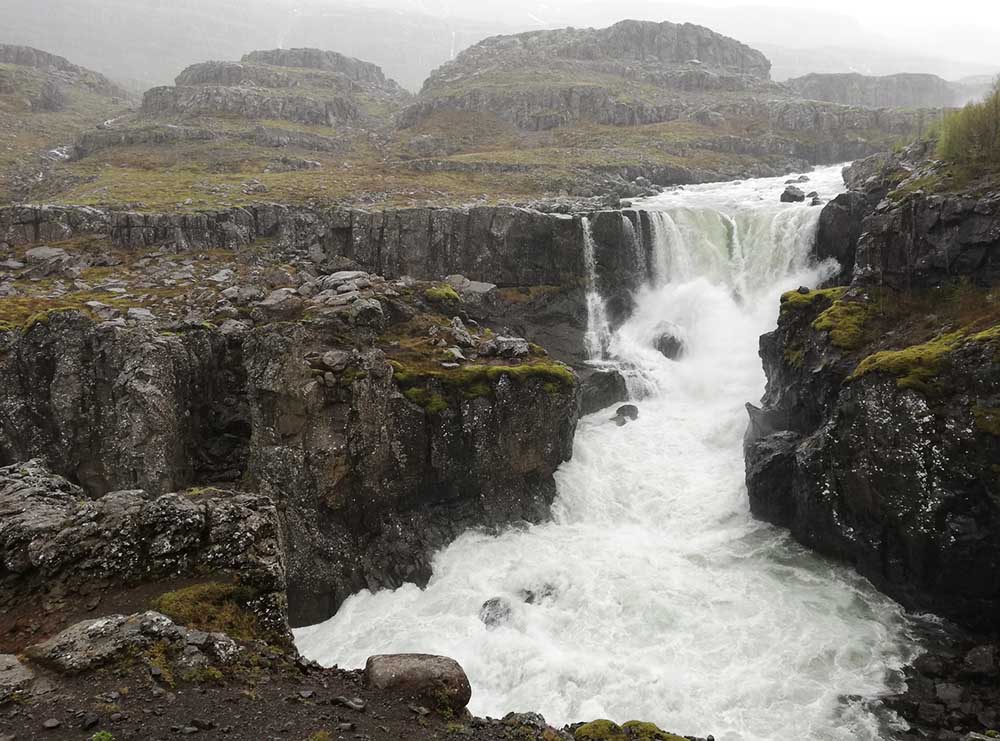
x,y
373,464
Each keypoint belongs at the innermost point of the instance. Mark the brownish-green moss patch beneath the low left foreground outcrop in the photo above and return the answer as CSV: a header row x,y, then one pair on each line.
x,y
213,607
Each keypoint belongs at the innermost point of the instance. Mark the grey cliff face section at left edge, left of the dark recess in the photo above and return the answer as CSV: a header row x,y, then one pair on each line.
x,y
119,407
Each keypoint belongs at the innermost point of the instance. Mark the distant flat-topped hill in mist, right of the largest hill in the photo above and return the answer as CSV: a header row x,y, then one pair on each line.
x,y
890,91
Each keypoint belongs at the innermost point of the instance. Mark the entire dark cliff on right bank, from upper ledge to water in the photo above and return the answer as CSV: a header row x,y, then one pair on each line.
x,y
877,439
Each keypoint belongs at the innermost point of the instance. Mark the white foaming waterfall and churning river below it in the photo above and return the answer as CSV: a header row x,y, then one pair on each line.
x,y
658,596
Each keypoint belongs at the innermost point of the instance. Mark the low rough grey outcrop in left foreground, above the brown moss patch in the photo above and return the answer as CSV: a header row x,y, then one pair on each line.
x,y
56,543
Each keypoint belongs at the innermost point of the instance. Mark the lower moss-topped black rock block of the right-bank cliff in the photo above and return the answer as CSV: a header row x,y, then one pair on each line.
x,y
881,457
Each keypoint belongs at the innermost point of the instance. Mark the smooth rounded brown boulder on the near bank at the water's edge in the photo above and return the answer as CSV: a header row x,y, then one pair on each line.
x,y
437,679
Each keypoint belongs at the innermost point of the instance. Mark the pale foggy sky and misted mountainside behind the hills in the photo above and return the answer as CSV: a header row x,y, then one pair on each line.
x,y
142,43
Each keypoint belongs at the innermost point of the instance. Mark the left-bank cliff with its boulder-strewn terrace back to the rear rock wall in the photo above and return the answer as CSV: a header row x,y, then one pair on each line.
x,y
381,418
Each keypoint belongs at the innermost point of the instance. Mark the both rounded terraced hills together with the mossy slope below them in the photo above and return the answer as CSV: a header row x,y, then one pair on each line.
x,y
575,113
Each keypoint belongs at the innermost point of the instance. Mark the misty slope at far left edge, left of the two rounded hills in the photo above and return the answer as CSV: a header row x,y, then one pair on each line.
x,y
45,102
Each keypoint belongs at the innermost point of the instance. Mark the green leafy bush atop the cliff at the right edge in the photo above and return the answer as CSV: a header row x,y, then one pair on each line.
x,y
971,136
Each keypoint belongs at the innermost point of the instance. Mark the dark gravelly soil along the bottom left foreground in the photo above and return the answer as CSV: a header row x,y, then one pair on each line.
x,y
296,703
